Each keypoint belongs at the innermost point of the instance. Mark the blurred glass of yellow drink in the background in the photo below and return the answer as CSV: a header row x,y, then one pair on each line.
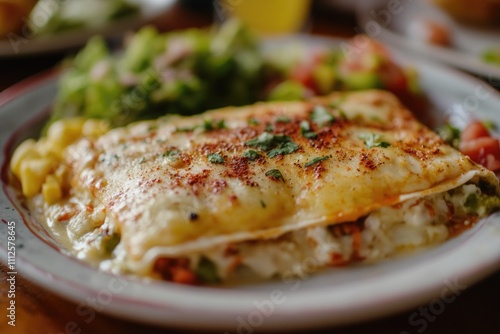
x,y
268,17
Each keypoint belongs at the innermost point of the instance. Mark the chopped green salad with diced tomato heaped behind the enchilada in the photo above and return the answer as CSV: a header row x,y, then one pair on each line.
x,y
191,71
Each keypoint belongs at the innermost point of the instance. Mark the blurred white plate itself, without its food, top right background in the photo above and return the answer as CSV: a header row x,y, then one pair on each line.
x,y
468,43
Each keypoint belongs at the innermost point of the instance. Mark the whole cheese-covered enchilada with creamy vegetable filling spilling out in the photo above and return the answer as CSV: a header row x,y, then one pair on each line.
x,y
342,178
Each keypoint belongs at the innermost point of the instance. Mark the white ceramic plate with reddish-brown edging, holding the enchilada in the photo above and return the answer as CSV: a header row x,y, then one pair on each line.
x,y
329,297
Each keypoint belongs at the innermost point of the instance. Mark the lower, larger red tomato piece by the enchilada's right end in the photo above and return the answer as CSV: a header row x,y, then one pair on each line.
x,y
483,150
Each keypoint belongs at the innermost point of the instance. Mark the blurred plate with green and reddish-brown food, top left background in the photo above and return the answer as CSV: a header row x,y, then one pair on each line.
x,y
52,26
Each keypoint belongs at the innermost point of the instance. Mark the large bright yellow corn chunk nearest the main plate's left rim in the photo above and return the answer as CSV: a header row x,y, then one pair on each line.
x,y
33,174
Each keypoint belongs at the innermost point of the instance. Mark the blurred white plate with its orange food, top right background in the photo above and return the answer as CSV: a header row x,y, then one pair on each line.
x,y
431,29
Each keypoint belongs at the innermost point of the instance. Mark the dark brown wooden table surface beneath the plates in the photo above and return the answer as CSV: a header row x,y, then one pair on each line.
x,y
475,310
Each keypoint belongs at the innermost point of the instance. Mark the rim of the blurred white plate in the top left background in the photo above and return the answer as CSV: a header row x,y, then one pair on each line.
x,y
20,44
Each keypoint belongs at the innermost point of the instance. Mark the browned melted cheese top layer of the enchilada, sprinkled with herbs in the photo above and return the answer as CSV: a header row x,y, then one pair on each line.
x,y
156,184
